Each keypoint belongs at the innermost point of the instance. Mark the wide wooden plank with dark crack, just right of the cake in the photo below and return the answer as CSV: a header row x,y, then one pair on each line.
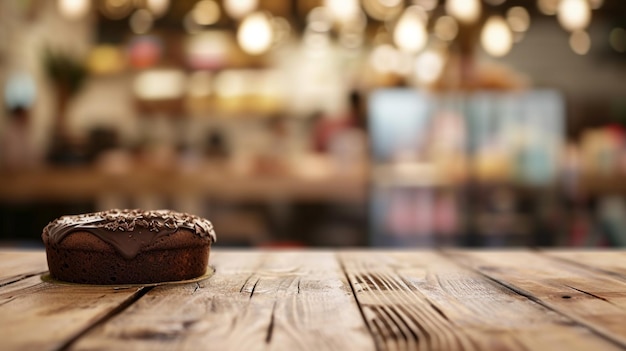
x,y
256,300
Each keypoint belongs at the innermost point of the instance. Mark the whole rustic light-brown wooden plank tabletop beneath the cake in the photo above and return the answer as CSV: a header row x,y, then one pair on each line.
x,y
332,300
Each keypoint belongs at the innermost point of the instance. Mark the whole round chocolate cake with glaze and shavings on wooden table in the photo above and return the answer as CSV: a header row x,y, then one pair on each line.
x,y
128,247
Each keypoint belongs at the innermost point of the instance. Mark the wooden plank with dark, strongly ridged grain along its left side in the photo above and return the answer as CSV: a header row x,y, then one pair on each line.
x,y
421,300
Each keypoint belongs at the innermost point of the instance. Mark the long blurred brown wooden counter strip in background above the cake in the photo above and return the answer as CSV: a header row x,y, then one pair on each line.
x,y
212,181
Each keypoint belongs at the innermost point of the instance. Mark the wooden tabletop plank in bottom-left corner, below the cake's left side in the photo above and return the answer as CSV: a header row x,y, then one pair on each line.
x,y
38,315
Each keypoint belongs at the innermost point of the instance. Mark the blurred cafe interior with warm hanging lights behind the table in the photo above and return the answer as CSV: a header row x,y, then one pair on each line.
x,y
287,123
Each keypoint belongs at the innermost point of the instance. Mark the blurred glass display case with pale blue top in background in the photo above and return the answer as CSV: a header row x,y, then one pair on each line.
x,y
476,168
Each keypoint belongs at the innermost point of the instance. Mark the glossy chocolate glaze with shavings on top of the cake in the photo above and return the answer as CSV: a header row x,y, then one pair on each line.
x,y
128,230
